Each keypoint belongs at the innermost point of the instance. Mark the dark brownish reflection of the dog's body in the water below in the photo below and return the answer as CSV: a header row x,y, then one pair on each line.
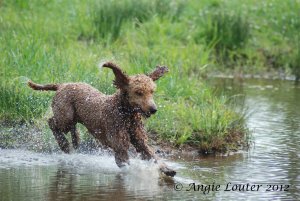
x,y
67,185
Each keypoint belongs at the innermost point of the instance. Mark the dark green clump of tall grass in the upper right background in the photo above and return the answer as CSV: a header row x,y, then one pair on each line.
x,y
226,33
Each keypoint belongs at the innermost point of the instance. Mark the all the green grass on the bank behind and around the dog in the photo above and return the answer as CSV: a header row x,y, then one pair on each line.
x,y
62,41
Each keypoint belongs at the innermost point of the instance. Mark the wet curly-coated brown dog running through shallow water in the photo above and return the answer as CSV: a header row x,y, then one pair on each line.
x,y
115,120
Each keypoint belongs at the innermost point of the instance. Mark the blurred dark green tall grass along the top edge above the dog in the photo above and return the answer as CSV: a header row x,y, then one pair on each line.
x,y
110,16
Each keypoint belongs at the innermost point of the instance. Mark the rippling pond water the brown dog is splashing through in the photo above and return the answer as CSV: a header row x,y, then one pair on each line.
x,y
274,160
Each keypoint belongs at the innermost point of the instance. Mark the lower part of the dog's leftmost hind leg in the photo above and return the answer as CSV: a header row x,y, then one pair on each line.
x,y
59,136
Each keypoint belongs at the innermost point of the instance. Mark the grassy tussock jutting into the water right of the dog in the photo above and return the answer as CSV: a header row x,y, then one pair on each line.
x,y
202,120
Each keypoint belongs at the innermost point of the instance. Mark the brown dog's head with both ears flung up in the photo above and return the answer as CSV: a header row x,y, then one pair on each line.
x,y
139,88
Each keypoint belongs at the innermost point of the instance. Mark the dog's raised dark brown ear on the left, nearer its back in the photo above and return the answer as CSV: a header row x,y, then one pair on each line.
x,y
121,79
